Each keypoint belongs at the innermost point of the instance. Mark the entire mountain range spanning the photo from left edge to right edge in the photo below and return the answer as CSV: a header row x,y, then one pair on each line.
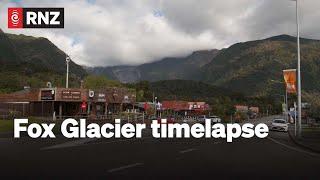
x,y
251,68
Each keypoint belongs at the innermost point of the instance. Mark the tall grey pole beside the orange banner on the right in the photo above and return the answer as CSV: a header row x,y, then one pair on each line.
x,y
299,72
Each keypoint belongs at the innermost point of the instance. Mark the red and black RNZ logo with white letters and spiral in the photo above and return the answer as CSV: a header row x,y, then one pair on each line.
x,y
35,17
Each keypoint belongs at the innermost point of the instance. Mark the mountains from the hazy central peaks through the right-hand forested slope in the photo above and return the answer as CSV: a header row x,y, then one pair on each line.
x,y
252,68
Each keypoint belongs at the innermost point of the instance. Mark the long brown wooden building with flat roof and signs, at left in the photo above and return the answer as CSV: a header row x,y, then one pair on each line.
x,y
63,102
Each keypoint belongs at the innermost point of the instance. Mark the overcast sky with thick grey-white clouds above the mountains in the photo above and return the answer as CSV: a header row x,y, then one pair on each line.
x,y
118,32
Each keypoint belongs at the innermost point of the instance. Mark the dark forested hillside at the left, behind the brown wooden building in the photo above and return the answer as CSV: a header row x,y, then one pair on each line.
x,y
31,61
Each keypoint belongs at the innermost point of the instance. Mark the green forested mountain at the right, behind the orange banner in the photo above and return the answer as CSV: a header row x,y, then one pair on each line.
x,y
250,66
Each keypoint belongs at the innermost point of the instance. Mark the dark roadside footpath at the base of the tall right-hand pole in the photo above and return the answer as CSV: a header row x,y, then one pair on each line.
x,y
310,138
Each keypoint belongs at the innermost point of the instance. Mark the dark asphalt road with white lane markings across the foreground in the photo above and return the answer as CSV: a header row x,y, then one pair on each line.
x,y
148,158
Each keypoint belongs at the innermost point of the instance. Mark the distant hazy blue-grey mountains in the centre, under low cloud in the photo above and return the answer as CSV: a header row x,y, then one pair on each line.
x,y
166,69
